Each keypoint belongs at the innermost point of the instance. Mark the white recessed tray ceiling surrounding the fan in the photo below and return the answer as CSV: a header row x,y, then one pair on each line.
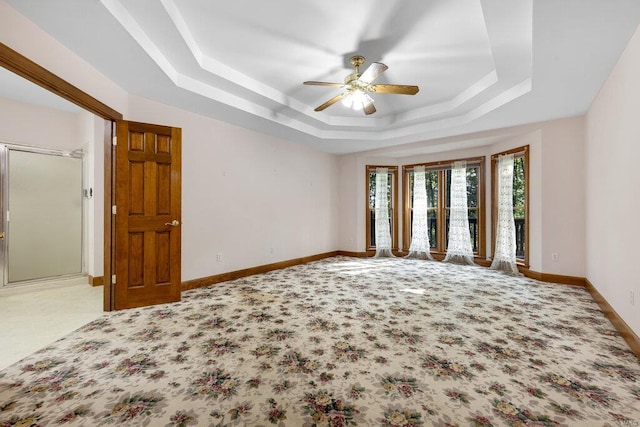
x,y
480,64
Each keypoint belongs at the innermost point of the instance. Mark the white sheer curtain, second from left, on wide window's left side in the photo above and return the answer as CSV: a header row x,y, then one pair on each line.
x,y
420,247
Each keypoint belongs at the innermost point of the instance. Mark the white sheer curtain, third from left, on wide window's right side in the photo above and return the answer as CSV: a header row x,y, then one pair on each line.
x,y
459,248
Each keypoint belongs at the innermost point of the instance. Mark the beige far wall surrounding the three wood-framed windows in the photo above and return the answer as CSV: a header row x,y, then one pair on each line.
x,y
556,190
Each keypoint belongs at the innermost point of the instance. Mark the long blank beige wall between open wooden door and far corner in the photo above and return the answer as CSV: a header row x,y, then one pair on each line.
x,y
253,198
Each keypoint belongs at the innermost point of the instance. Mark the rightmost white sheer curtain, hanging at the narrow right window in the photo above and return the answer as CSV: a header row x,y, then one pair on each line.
x,y
504,257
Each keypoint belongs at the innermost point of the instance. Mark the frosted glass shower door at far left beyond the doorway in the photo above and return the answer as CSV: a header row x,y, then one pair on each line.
x,y
44,215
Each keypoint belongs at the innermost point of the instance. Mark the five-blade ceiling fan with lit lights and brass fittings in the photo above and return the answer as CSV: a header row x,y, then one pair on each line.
x,y
357,87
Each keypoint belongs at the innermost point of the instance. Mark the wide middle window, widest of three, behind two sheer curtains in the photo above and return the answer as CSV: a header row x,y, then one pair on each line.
x,y
438,182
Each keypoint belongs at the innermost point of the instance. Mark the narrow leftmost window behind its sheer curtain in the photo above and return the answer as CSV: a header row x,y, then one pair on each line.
x,y
392,191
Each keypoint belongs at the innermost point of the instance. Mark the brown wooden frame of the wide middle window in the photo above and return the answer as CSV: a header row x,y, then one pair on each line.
x,y
439,252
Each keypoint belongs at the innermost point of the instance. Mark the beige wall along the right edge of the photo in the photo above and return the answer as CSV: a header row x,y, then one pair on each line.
x,y
613,187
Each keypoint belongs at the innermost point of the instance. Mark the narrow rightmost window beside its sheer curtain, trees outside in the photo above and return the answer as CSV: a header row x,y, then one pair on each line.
x,y
520,200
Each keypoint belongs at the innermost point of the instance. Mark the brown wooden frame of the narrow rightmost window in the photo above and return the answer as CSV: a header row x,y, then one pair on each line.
x,y
517,152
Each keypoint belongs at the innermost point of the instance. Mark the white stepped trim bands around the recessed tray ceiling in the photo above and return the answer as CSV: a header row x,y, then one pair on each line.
x,y
486,94
